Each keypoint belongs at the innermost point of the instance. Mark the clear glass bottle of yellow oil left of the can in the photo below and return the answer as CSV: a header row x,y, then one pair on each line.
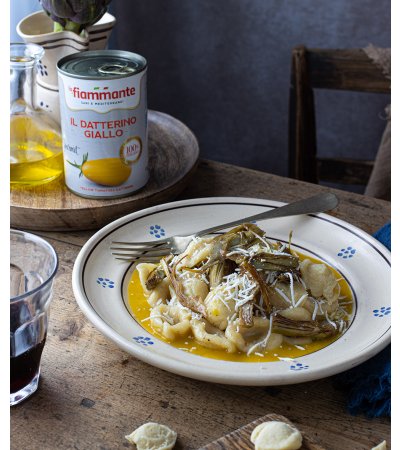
x,y
35,136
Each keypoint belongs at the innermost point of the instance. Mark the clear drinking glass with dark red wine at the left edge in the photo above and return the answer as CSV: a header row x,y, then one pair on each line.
x,y
33,265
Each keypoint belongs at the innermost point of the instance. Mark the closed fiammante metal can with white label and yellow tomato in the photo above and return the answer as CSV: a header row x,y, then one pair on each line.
x,y
103,105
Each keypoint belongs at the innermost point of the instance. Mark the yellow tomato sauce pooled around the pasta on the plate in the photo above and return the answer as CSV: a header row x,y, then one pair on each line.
x,y
141,310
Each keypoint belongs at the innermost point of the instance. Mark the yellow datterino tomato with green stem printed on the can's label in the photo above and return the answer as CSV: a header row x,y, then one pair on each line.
x,y
106,171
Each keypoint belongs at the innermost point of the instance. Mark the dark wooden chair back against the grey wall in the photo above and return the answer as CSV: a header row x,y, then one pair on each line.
x,y
350,70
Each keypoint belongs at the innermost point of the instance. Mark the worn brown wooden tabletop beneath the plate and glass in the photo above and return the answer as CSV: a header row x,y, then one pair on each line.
x,y
91,393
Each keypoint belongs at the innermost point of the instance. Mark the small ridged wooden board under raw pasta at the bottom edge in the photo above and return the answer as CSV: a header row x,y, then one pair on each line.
x,y
240,439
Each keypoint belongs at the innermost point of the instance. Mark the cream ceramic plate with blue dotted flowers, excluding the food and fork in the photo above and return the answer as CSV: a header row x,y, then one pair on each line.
x,y
100,286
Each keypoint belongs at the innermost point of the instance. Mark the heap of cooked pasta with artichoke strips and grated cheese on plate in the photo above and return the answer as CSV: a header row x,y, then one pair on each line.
x,y
240,293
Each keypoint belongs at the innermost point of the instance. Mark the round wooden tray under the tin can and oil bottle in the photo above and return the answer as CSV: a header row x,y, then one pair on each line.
x,y
173,158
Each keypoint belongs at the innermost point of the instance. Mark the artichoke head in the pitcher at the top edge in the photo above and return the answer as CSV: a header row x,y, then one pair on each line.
x,y
74,15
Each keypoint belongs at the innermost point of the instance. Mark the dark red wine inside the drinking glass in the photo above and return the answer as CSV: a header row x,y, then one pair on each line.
x,y
24,367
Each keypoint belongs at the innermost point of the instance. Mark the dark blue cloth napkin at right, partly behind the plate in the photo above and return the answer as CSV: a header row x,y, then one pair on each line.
x,y
370,382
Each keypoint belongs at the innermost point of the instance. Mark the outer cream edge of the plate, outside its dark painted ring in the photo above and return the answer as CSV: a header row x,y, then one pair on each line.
x,y
217,375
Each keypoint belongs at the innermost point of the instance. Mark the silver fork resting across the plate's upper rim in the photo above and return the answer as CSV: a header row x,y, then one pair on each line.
x,y
178,244
